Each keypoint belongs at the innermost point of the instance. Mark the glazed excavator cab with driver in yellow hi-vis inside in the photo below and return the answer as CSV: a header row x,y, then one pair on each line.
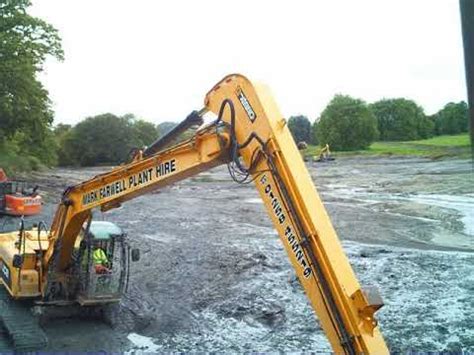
x,y
102,263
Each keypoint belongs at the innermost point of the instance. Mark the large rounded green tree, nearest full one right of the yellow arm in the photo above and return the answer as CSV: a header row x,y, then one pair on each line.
x,y
347,124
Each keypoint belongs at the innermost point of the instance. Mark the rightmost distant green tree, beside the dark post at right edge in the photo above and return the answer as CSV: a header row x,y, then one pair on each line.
x,y
453,118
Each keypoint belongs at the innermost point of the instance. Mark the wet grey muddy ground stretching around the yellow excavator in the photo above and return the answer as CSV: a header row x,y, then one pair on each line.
x,y
214,276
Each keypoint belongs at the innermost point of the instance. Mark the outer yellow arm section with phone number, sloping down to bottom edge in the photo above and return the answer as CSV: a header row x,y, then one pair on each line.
x,y
298,214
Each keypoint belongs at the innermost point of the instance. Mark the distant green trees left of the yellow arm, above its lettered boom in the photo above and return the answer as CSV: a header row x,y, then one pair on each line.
x,y
103,139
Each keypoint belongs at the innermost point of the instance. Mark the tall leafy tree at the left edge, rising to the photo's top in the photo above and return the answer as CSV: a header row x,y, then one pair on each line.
x,y
25,43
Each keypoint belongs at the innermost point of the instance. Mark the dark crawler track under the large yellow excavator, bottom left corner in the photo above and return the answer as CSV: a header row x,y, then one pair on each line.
x,y
19,329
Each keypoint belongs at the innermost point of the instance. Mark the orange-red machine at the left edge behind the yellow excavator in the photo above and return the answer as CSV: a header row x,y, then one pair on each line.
x,y
17,198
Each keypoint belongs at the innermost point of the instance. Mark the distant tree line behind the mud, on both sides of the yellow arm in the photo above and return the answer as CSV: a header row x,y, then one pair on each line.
x,y
345,124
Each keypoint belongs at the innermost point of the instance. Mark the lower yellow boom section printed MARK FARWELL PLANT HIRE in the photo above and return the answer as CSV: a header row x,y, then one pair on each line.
x,y
204,151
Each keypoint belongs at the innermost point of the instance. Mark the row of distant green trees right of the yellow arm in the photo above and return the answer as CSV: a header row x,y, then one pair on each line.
x,y
349,123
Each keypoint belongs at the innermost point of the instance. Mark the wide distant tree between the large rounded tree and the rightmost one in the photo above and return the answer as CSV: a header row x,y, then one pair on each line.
x,y
401,120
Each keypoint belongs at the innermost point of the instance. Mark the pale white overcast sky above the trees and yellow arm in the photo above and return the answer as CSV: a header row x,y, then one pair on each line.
x,y
157,59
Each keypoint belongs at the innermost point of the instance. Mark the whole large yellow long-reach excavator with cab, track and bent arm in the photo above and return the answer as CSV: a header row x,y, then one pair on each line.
x,y
81,261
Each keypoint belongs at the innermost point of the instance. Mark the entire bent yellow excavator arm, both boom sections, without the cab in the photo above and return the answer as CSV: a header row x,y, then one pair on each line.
x,y
252,137
